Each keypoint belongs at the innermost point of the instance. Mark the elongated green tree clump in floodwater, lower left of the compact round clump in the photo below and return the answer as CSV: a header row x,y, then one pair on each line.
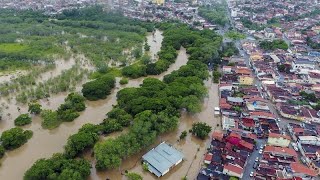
x,y
68,111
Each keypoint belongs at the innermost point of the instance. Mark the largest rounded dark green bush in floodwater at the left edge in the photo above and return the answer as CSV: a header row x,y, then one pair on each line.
x,y
14,138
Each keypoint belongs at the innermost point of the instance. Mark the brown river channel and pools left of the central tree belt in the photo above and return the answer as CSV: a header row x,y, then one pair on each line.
x,y
46,142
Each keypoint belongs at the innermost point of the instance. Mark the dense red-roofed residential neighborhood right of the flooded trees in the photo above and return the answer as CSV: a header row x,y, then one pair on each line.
x,y
269,96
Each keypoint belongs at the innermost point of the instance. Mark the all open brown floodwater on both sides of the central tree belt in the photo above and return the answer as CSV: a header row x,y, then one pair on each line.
x,y
44,143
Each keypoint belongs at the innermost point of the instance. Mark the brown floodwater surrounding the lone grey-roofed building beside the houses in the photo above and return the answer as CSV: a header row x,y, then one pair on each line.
x,y
189,147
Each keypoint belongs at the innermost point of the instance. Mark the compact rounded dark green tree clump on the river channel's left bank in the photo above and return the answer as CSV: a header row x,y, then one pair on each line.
x,y
99,88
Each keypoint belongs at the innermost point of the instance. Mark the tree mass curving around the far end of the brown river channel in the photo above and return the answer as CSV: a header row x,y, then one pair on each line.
x,y
200,45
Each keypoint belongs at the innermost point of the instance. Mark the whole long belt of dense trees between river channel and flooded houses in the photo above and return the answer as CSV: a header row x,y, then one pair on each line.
x,y
149,110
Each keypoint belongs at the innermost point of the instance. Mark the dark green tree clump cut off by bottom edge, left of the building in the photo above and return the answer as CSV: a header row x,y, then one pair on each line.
x,y
58,167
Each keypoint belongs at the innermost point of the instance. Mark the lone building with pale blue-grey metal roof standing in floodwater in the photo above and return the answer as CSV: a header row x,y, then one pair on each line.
x,y
162,158
